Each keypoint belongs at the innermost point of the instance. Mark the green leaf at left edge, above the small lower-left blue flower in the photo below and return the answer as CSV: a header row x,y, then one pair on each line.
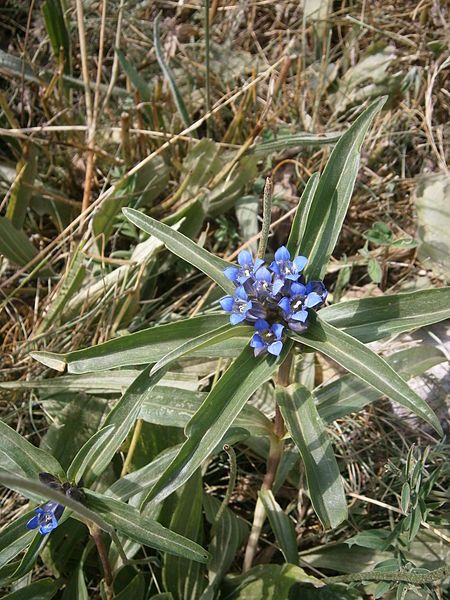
x,y
17,455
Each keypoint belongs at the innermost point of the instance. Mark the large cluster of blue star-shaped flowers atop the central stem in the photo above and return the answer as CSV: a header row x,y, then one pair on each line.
x,y
272,298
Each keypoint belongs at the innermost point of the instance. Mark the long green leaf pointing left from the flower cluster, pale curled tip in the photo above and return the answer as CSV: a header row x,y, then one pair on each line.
x,y
142,347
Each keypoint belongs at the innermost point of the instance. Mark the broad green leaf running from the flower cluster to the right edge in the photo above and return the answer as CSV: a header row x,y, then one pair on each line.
x,y
371,319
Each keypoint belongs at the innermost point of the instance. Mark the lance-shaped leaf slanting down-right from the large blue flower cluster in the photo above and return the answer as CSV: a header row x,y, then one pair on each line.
x,y
363,362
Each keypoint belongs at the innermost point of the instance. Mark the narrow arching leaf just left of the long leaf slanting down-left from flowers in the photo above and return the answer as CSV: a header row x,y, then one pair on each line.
x,y
122,418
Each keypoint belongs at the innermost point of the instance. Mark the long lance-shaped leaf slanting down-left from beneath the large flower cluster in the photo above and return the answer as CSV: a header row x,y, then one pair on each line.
x,y
215,416
